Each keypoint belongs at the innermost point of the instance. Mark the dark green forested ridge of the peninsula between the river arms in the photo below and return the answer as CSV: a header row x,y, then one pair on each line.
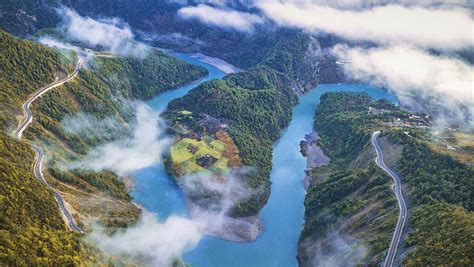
x,y
258,104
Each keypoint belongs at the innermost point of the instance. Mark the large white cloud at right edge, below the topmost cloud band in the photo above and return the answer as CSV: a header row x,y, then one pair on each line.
x,y
407,70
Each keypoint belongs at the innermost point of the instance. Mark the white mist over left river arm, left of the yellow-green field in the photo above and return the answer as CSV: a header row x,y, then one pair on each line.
x,y
144,148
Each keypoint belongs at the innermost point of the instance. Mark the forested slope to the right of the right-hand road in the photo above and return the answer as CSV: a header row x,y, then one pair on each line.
x,y
440,192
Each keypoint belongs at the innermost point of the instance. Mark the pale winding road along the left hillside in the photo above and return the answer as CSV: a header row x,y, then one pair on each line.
x,y
38,165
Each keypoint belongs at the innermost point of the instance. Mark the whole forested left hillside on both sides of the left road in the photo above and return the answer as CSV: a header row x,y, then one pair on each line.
x,y
32,231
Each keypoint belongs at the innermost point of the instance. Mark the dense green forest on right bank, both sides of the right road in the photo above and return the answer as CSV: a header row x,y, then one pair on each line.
x,y
438,188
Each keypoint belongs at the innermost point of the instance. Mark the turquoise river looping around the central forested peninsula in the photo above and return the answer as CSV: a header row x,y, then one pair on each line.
x,y
283,214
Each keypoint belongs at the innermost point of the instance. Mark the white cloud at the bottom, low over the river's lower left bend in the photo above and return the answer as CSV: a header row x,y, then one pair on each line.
x,y
156,243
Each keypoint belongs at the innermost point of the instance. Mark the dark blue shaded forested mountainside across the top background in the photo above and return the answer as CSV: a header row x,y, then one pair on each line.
x,y
160,25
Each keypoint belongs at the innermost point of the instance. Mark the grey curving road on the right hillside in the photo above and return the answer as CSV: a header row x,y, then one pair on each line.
x,y
392,251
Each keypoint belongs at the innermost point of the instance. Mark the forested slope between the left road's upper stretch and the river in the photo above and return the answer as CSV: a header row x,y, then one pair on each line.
x,y
99,89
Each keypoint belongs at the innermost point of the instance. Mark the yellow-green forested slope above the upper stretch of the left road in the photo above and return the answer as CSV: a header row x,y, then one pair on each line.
x,y
26,66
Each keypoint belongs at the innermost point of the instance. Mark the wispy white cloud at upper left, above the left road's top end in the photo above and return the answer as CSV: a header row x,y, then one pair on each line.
x,y
111,33
